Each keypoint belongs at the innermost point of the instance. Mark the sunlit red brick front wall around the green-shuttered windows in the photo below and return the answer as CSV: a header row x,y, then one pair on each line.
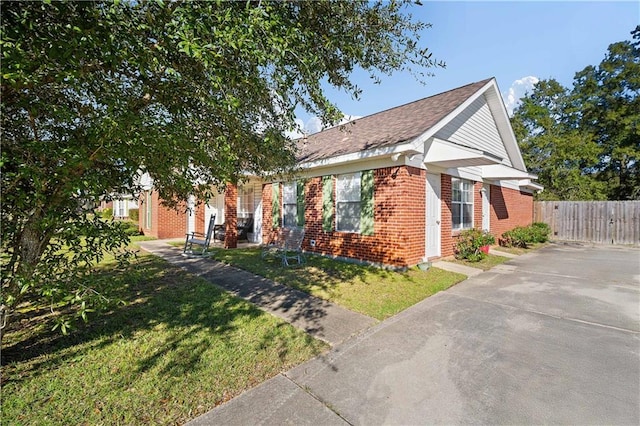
x,y
399,220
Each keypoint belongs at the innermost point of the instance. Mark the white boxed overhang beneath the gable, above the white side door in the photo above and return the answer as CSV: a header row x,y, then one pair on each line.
x,y
447,154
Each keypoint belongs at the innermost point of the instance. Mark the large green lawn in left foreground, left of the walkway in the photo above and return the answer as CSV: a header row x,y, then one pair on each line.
x,y
175,349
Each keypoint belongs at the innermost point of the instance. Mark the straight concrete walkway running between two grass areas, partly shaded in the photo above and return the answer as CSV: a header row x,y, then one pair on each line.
x,y
319,318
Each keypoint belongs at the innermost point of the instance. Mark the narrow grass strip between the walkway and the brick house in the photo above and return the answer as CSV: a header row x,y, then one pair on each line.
x,y
369,290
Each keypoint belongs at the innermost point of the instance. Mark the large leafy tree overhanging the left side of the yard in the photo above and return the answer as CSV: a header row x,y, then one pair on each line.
x,y
95,93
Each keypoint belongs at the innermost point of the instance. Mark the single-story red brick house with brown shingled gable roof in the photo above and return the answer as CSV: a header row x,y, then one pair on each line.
x,y
394,188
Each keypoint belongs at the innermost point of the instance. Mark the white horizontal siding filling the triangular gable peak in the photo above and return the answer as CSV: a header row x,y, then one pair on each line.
x,y
475,127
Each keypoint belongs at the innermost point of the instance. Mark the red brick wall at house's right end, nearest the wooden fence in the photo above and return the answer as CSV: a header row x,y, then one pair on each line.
x,y
509,208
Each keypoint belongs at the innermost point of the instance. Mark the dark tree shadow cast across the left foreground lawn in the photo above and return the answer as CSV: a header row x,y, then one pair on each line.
x,y
153,295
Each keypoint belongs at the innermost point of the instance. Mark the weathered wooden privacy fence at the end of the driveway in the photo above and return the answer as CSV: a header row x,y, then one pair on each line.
x,y
606,222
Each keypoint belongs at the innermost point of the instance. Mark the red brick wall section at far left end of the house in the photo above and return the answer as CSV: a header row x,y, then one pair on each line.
x,y
165,222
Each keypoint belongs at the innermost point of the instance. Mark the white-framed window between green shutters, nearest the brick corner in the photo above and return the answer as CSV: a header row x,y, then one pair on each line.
x,y
348,202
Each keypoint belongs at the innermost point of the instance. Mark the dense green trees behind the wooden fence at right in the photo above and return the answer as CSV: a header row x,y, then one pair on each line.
x,y
584,143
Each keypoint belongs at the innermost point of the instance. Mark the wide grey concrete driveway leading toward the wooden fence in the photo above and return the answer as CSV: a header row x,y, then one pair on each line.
x,y
549,337
